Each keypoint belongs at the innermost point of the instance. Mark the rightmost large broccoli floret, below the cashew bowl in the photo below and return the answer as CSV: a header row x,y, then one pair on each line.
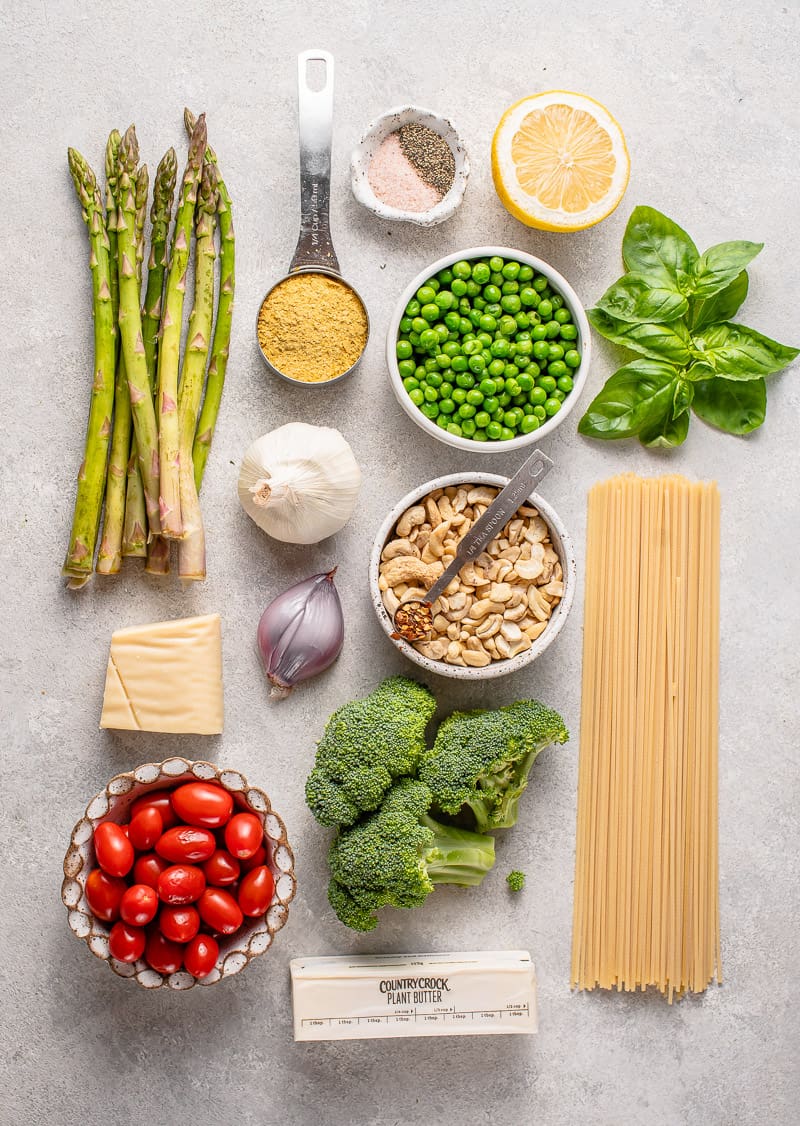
x,y
483,759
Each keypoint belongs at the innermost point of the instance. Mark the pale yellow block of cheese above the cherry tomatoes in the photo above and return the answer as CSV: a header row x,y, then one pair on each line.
x,y
166,677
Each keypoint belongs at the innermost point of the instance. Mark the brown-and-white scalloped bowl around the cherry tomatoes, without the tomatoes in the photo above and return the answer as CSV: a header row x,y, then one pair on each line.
x,y
112,805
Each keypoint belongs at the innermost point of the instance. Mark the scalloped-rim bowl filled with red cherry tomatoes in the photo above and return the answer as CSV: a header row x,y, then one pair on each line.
x,y
179,874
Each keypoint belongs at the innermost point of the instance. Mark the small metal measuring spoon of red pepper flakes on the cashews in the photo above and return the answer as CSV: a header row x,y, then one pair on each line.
x,y
414,621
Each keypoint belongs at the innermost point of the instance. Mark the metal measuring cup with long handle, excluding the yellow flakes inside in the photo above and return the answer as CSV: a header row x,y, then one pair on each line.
x,y
315,252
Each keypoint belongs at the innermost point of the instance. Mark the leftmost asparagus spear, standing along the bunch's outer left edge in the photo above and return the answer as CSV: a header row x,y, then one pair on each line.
x,y
92,477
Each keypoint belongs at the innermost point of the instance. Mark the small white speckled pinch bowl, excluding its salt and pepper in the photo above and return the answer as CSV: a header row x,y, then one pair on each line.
x,y
375,137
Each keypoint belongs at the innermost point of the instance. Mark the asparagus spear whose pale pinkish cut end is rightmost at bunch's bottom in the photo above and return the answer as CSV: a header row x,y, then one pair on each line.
x,y
192,548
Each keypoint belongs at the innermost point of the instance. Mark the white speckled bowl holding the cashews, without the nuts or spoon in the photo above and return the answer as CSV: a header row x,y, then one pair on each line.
x,y
562,543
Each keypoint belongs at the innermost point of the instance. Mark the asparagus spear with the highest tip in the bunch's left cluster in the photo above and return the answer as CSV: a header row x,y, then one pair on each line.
x,y
131,329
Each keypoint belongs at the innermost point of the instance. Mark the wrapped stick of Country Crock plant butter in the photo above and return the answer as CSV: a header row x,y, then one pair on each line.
x,y
414,995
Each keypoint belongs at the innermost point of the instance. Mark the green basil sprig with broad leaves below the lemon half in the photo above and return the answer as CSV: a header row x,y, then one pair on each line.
x,y
674,307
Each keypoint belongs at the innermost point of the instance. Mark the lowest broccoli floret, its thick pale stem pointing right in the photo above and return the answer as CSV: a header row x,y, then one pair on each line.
x,y
396,856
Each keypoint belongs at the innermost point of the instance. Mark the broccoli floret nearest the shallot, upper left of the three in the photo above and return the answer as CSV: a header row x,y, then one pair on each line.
x,y
367,745
